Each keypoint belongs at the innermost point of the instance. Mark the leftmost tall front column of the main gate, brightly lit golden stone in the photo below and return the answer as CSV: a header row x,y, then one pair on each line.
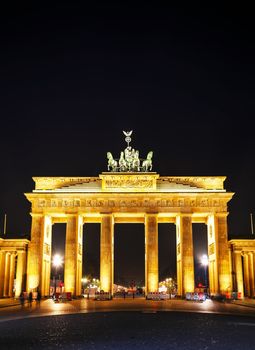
x,y
35,253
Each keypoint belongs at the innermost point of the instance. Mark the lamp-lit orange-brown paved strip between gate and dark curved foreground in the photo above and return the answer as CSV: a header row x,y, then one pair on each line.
x,y
10,309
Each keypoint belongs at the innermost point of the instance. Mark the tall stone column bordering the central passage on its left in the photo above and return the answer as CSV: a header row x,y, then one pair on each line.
x,y
106,253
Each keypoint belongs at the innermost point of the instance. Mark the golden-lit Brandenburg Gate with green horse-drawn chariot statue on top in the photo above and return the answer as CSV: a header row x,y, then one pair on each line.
x,y
129,193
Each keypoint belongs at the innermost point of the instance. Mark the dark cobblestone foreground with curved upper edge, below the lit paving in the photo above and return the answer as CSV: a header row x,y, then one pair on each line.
x,y
130,330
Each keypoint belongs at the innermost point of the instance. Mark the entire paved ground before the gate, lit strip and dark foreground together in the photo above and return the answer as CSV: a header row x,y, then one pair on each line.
x,y
127,324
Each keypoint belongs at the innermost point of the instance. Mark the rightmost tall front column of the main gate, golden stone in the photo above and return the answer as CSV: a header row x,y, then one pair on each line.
x,y
225,280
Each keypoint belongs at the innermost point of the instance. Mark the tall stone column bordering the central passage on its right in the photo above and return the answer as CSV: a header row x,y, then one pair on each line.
x,y
151,253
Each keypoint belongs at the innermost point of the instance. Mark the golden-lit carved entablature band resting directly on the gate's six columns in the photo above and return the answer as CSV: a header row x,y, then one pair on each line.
x,y
129,202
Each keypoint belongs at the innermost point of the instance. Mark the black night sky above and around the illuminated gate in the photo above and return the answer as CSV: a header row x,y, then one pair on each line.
x,y
72,78
